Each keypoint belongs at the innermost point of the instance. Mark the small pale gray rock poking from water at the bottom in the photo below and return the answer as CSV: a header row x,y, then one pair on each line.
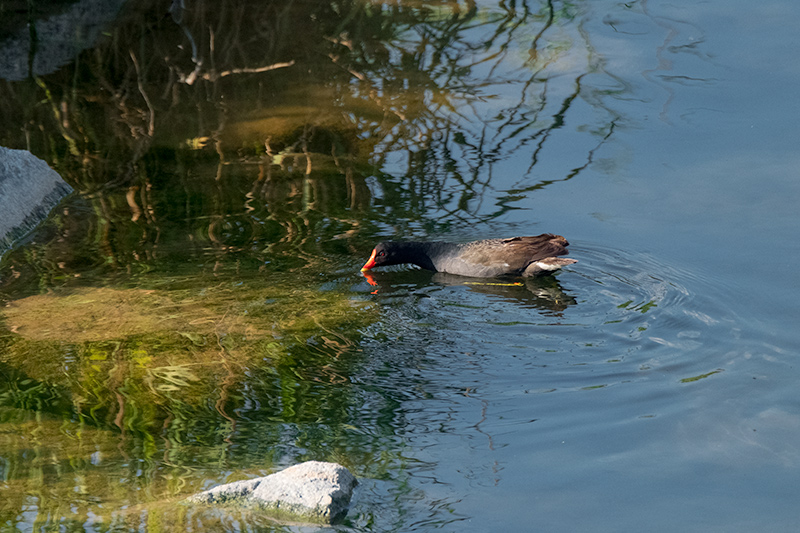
x,y
311,491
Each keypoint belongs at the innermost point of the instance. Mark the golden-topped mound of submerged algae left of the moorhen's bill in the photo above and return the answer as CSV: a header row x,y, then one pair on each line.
x,y
186,346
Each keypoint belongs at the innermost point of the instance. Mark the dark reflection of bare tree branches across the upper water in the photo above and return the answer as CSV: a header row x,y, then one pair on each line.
x,y
418,110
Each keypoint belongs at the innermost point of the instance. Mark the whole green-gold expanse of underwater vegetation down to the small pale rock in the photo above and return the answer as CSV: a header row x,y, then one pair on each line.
x,y
174,379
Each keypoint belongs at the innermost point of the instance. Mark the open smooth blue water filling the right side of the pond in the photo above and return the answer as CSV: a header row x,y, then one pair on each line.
x,y
605,416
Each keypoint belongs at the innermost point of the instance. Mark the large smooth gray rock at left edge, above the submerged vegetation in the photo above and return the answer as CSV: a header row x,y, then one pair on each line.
x,y
29,189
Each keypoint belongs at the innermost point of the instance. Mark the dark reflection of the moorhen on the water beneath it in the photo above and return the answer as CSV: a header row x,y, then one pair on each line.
x,y
543,293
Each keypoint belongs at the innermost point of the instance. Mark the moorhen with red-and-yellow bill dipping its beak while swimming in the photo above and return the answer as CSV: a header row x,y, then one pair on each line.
x,y
518,256
